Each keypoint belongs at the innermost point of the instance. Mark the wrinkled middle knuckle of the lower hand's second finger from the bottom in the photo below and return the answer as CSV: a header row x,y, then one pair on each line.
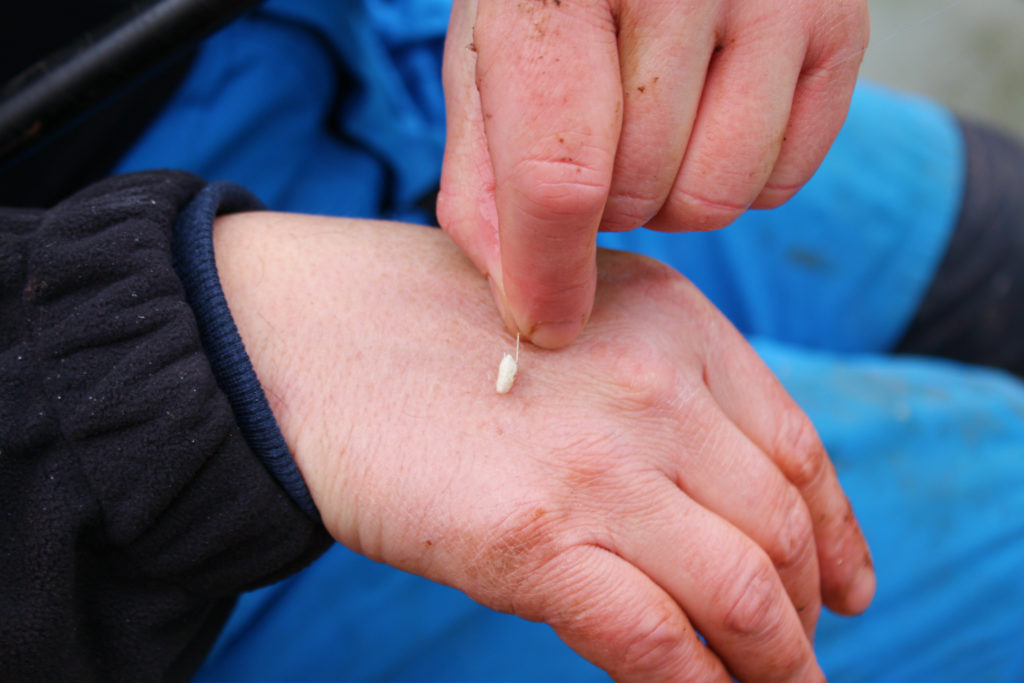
x,y
753,607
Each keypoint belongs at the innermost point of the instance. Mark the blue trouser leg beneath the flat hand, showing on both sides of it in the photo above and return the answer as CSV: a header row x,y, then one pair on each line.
x,y
931,456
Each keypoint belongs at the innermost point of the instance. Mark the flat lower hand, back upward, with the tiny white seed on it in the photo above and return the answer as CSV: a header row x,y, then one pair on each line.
x,y
652,482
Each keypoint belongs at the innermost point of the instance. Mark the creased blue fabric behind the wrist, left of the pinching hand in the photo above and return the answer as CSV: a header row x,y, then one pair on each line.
x,y
304,105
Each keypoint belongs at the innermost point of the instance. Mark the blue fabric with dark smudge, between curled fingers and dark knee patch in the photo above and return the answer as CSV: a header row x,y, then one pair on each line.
x,y
846,263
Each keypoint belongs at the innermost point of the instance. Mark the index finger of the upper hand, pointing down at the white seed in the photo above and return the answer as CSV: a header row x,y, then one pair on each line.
x,y
551,97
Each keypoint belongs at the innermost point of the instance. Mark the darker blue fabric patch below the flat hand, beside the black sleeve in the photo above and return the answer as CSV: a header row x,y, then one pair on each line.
x,y
348,618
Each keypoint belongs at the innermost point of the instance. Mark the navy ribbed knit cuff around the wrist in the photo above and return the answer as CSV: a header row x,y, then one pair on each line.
x,y
194,262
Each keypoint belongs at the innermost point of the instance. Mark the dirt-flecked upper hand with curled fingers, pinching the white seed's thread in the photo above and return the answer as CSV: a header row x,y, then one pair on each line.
x,y
570,116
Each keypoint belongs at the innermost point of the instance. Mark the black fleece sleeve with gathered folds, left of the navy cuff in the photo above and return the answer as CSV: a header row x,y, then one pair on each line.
x,y
133,510
